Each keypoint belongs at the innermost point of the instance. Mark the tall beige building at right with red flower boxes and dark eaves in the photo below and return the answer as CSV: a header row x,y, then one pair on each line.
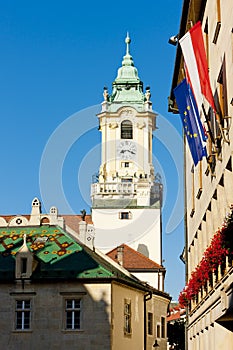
x,y
208,294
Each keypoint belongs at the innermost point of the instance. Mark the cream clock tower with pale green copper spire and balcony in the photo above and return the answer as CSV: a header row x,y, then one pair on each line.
x,y
126,199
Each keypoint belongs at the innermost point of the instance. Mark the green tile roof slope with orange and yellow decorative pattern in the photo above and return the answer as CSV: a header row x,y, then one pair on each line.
x,y
58,255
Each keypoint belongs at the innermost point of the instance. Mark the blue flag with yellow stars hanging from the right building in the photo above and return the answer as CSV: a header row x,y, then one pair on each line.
x,y
191,120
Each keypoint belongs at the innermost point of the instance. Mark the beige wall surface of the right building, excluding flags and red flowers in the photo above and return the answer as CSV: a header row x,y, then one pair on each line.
x,y
210,184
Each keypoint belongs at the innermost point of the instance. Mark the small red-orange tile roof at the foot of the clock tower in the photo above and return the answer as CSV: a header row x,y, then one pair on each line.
x,y
133,260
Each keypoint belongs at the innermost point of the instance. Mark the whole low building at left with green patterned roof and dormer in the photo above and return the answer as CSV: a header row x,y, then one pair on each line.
x,y
58,293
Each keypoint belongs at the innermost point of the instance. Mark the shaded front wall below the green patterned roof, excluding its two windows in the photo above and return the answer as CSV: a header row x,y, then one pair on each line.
x,y
48,317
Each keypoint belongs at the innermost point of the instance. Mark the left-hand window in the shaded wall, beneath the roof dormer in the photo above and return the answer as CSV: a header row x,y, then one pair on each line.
x,y
23,314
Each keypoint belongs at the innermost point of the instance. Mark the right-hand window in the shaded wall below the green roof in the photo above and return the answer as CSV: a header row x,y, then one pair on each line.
x,y
73,314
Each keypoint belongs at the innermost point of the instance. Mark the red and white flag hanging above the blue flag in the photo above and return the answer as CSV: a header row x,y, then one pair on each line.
x,y
197,75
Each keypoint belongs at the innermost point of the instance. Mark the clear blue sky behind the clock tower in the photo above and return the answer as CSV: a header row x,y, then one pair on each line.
x,y
56,57
